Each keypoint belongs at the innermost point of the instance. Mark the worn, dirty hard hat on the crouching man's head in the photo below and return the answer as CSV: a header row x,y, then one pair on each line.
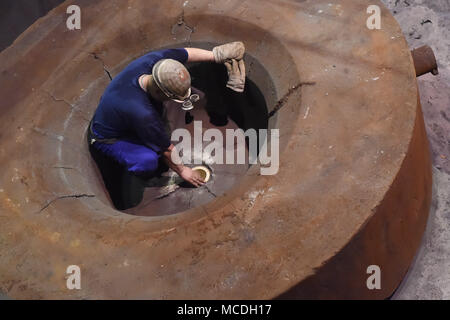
x,y
173,79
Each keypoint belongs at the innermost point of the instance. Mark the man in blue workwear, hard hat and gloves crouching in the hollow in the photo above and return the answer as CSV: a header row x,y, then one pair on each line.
x,y
128,126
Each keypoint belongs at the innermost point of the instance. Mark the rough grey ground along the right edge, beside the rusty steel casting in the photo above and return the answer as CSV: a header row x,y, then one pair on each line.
x,y
428,22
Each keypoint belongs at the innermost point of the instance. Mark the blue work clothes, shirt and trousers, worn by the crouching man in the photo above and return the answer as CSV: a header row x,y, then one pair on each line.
x,y
128,114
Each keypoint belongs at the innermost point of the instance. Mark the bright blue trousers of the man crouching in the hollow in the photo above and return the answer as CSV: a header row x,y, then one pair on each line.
x,y
136,158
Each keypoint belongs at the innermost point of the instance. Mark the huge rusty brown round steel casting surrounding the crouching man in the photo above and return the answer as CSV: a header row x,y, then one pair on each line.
x,y
354,184
